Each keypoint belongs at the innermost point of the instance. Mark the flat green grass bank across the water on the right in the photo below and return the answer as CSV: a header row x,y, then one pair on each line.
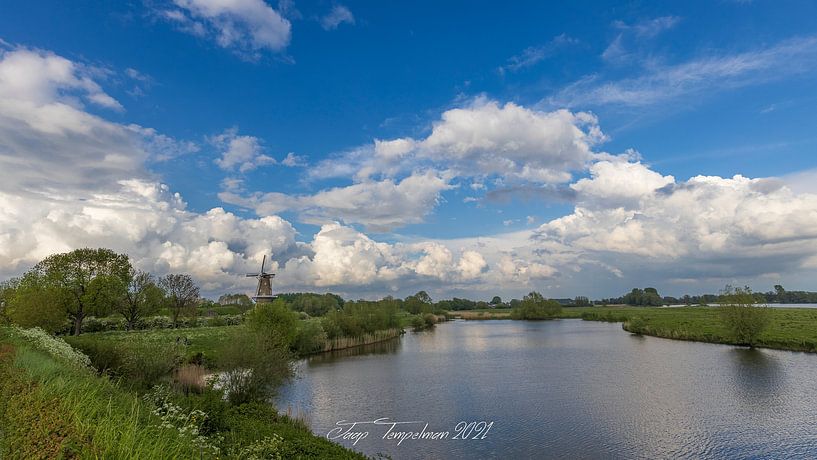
x,y
792,329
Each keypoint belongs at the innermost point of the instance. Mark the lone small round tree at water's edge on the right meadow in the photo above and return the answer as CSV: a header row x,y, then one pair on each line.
x,y
742,315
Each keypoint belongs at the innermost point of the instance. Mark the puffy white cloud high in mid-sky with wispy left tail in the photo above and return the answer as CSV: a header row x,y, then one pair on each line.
x,y
483,139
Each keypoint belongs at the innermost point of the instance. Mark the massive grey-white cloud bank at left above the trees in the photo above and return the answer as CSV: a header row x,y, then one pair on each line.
x,y
70,179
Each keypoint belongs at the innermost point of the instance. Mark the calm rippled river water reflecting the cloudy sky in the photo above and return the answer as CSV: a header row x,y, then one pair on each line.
x,y
566,389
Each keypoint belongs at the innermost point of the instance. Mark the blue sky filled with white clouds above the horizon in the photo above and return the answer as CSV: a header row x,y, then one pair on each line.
x,y
380,148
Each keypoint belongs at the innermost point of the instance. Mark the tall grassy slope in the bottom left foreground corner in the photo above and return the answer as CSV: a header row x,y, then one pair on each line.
x,y
52,410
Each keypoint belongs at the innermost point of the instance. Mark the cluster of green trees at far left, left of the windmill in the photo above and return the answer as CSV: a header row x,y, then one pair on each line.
x,y
63,290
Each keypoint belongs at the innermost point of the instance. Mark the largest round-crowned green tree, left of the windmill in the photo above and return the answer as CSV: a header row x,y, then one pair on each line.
x,y
82,282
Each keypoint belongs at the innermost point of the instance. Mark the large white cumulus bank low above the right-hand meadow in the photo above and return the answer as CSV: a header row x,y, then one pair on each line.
x,y
713,226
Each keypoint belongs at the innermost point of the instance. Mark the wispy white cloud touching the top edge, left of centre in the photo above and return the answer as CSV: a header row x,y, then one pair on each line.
x,y
246,26
